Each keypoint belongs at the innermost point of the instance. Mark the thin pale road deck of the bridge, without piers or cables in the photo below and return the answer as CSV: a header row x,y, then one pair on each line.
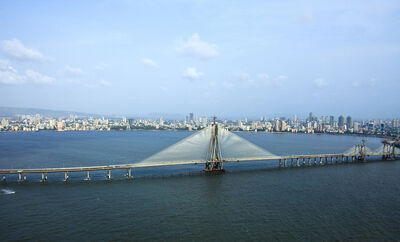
x,y
141,165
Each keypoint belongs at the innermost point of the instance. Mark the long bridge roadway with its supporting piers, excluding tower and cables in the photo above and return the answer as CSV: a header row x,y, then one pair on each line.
x,y
283,162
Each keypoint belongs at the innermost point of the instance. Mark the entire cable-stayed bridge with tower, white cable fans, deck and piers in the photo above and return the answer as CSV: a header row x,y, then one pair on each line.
x,y
214,146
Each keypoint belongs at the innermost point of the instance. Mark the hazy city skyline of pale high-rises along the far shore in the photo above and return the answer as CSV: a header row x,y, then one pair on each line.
x,y
310,125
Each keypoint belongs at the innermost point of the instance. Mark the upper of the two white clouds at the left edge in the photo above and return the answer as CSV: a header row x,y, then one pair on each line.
x,y
14,48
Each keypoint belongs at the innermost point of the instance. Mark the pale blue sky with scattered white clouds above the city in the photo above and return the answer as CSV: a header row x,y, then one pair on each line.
x,y
224,58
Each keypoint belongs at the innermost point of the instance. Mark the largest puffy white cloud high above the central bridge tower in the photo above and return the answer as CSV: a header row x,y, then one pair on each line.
x,y
197,48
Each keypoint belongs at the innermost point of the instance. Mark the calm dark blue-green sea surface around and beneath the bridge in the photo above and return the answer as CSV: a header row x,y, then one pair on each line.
x,y
252,201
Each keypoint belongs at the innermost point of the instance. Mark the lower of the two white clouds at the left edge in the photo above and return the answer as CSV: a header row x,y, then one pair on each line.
x,y
8,75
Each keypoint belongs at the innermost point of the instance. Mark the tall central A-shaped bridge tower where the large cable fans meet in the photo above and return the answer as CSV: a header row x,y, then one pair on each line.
x,y
214,162
